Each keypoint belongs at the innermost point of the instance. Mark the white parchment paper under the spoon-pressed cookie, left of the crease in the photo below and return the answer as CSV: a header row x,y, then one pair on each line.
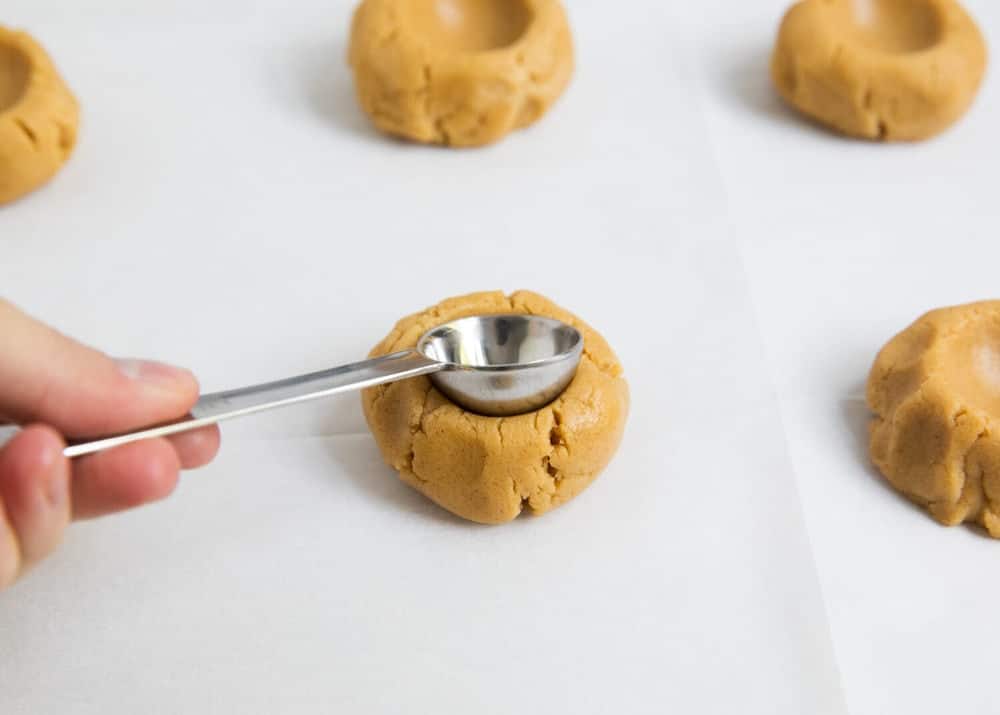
x,y
229,209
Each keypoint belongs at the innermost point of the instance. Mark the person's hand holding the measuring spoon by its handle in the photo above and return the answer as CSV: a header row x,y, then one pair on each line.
x,y
55,386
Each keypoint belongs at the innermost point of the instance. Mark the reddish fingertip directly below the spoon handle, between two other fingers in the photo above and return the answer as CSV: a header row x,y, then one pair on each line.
x,y
124,477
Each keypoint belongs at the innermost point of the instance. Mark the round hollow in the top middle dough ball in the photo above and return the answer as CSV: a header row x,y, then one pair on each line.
x,y
470,25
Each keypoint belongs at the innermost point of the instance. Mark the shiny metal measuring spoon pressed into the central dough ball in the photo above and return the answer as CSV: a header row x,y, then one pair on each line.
x,y
492,364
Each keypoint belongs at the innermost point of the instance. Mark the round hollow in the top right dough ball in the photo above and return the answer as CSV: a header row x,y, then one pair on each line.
x,y
895,25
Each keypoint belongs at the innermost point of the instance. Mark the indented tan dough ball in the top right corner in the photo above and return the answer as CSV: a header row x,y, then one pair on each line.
x,y
879,69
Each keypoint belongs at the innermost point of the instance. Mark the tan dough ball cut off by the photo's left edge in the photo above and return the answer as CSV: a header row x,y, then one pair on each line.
x,y
38,116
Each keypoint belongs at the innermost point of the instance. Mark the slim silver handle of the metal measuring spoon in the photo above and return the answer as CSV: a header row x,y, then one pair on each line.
x,y
218,406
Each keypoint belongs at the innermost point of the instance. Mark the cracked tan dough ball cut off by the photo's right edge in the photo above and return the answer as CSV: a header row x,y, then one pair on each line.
x,y
935,391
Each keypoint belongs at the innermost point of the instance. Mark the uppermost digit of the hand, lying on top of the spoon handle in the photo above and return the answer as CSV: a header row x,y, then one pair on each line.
x,y
49,378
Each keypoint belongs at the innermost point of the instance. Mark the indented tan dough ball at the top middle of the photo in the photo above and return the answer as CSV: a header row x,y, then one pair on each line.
x,y
459,72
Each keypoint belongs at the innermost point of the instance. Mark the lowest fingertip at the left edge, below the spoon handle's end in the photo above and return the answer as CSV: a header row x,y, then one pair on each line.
x,y
34,493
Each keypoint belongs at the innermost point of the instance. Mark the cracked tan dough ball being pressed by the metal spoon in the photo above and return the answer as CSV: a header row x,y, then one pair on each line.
x,y
489,469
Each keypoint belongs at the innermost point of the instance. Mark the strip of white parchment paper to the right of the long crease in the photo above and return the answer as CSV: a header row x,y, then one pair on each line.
x,y
846,243
